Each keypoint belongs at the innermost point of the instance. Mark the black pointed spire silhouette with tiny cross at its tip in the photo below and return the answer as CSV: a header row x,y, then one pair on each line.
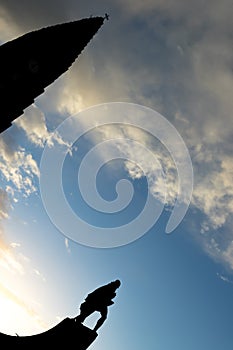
x,y
30,63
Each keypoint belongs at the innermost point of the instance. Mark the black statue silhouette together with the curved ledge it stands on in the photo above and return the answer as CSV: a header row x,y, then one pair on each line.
x,y
70,331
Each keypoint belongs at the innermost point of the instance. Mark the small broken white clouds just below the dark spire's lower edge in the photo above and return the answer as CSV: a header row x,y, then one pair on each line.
x,y
18,166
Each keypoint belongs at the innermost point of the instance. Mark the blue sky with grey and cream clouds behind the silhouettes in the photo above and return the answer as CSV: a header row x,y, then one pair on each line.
x,y
161,71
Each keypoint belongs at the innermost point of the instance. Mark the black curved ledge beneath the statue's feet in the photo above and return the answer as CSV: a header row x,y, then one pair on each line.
x,y
72,333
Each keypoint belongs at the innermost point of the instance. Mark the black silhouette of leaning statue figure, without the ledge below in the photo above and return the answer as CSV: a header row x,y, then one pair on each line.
x,y
98,300
